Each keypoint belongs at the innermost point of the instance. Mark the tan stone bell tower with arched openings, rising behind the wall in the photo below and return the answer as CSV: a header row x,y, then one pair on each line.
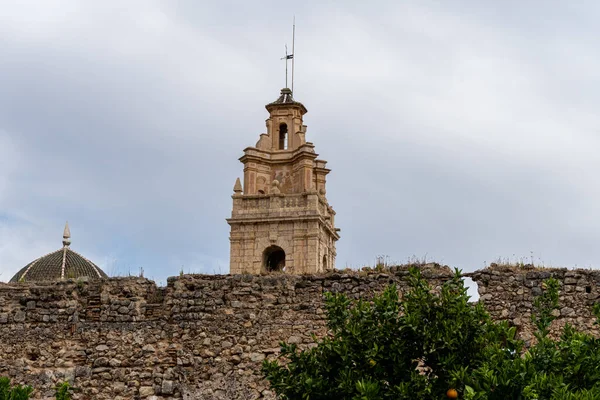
x,y
281,220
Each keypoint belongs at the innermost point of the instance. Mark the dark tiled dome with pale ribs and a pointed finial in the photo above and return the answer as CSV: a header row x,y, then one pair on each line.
x,y
60,264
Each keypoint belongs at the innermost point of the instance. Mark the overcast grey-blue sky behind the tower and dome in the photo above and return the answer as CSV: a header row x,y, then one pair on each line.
x,y
460,132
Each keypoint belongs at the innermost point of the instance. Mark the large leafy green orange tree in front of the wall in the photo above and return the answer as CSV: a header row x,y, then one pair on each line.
x,y
426,343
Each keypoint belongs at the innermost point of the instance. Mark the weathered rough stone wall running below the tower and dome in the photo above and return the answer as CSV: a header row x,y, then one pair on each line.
x,y
205,336
